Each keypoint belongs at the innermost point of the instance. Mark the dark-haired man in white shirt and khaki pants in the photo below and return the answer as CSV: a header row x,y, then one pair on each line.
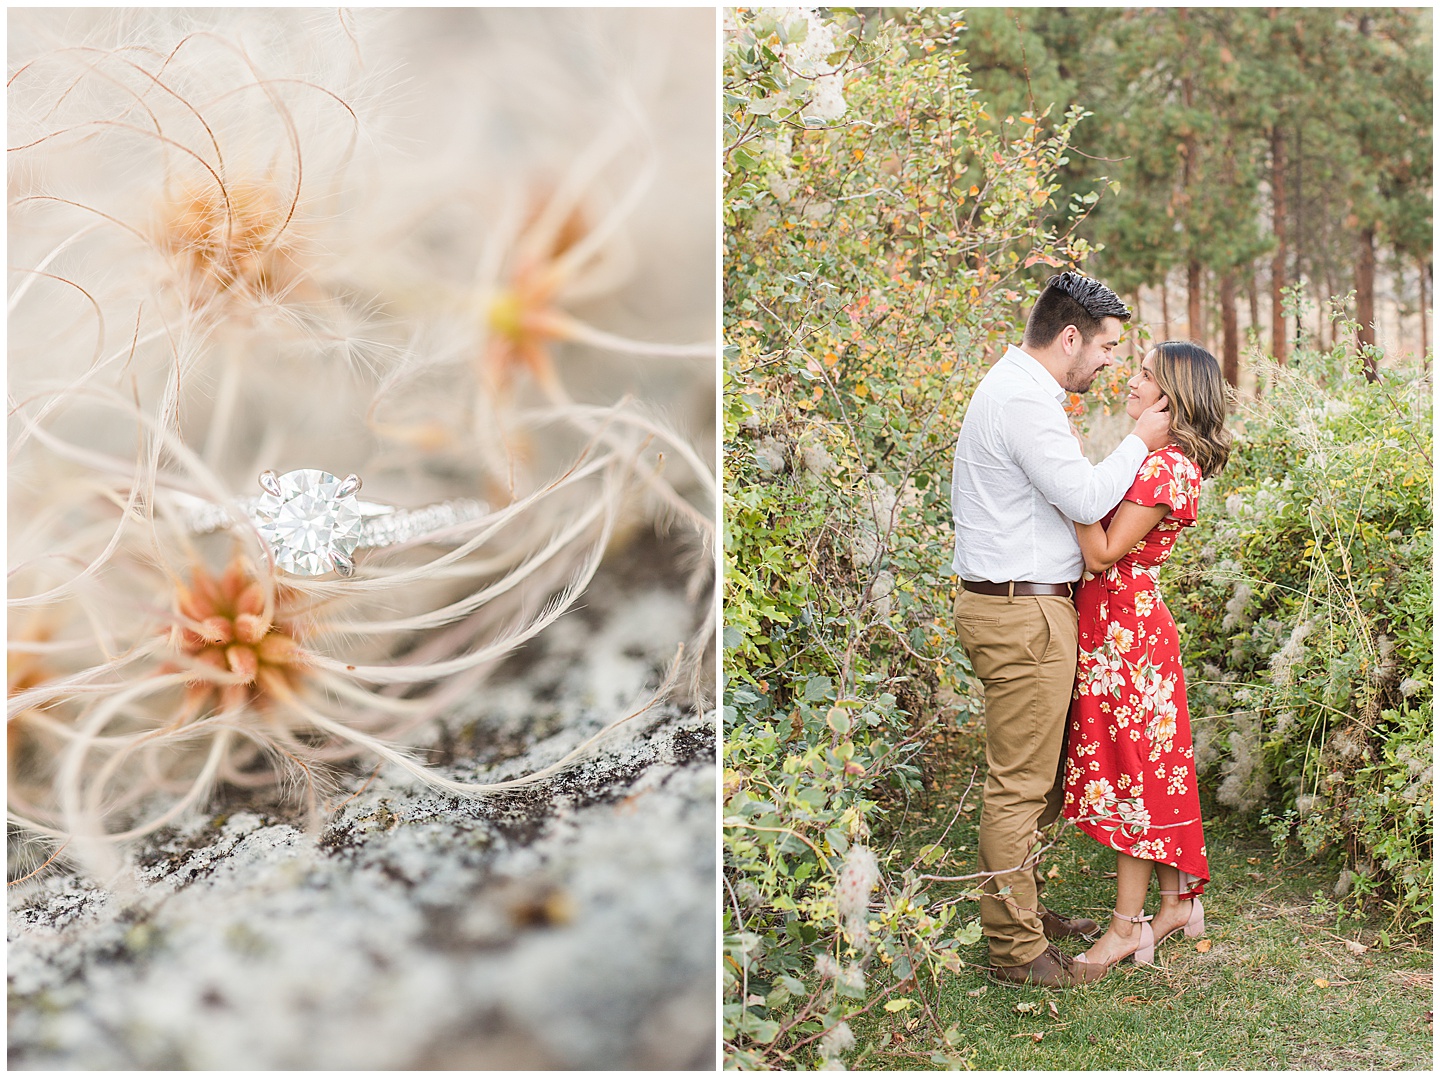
x,y
1020,483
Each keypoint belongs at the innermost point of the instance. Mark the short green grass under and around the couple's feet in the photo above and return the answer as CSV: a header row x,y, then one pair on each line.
x,y
1282,985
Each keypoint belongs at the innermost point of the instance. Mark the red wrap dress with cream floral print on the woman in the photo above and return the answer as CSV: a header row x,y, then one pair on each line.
x,y
1130,759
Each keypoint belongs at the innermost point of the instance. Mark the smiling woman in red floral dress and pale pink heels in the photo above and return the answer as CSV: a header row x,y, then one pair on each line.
x,y
1130,769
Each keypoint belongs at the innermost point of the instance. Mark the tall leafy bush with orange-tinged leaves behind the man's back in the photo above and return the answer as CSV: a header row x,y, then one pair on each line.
x,y
881,234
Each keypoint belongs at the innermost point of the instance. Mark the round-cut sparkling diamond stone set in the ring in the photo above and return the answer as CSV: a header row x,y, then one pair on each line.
x,y
309,523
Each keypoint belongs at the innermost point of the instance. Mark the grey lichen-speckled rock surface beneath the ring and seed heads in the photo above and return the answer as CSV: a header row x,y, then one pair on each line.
x,y
568,926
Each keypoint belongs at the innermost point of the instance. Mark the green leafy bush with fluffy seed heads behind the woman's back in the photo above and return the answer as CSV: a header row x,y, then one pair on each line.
x,y
1304,599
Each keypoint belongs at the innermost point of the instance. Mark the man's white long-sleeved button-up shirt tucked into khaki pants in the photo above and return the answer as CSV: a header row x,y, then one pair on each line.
x,y
1020,480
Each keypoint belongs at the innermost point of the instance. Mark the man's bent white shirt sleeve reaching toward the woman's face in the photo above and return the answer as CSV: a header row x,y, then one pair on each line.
x,y
1039,440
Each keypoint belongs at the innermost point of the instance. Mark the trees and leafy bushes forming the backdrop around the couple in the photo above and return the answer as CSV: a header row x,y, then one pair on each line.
x,y
899,185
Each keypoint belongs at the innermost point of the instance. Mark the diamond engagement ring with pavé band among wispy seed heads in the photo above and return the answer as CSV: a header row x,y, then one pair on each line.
x,y
313,522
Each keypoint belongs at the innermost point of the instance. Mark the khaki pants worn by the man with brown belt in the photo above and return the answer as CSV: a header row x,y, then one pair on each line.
x,y
1025,653
